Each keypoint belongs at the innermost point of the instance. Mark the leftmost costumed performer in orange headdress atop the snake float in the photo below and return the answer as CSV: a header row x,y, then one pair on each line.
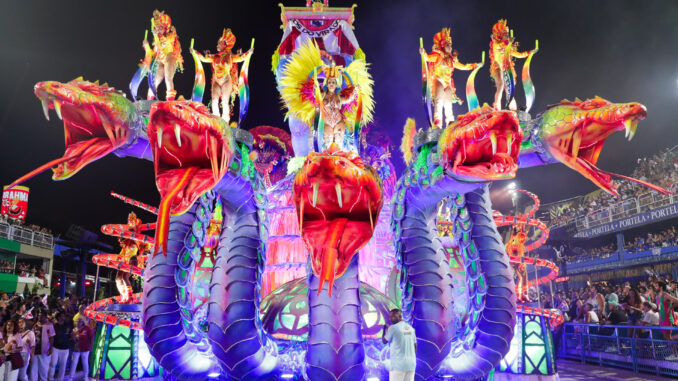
x,y
166,53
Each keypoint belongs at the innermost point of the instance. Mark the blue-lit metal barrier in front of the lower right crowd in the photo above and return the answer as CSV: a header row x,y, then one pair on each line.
x,y
638,348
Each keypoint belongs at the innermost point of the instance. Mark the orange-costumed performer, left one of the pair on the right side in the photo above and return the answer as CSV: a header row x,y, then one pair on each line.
x,y
441,62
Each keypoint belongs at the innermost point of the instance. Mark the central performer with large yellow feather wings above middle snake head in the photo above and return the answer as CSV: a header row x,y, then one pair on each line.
x,y
343,101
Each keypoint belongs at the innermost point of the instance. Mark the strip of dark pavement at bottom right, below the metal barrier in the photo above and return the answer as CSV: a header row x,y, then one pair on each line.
x,y
572,370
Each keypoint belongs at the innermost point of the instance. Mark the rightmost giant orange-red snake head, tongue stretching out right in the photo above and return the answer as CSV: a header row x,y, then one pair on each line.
x,y
574,134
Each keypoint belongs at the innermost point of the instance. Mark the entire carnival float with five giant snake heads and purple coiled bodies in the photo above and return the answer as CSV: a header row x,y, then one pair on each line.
x,y
278,255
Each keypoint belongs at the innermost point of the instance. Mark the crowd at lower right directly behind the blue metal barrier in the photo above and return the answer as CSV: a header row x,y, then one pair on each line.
x,y
648,303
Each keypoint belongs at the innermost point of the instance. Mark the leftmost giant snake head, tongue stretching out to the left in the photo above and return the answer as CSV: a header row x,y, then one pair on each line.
x,y
97,120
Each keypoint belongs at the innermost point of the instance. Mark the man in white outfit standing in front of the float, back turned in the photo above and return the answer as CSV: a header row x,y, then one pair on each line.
x,y
403,343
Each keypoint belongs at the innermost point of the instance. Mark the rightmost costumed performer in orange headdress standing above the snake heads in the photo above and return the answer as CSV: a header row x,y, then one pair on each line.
x,y
503,49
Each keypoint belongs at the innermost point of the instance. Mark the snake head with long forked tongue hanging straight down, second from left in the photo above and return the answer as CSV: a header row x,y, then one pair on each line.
x,y
192,151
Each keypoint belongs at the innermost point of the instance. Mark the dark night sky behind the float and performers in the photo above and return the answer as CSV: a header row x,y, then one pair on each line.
x,y
621,50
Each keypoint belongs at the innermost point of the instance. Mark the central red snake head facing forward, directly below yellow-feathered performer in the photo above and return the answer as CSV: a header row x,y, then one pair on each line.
x,y
338,199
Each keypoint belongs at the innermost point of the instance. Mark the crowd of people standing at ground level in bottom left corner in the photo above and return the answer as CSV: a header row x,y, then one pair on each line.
x,y
40,334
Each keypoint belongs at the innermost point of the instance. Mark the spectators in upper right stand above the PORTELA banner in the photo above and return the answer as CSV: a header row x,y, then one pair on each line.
x,y
660,169
